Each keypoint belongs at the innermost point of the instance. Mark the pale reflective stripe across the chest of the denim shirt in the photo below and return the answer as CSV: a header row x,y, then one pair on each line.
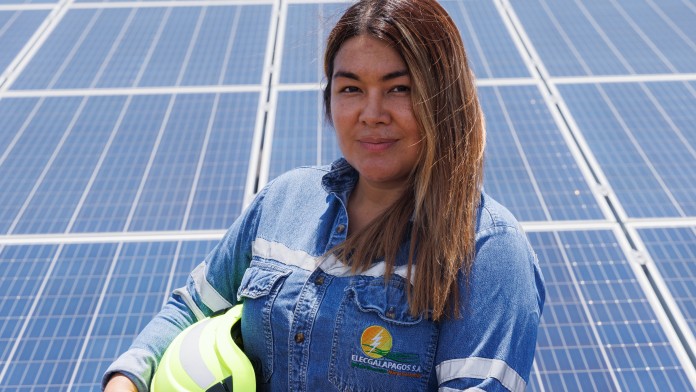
x,y
331,265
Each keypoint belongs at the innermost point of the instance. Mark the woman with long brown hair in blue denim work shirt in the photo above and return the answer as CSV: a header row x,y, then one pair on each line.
x,y
390,269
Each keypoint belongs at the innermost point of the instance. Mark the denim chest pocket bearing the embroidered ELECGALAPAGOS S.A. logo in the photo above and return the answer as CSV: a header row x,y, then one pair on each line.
x,y
377,345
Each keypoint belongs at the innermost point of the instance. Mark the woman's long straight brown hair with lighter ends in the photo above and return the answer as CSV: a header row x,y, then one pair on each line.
x,y
445,186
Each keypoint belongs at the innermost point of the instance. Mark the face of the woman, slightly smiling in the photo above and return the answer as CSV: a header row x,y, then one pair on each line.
x,y
372,112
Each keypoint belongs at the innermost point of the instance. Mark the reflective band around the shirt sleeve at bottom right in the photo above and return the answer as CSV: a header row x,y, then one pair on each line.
x,y
481,368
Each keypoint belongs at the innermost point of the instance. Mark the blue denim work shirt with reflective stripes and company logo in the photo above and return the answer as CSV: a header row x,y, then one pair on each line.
x,y
309,324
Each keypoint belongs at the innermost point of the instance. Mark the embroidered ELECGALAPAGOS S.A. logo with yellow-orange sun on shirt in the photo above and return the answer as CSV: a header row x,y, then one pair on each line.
x,y
377,345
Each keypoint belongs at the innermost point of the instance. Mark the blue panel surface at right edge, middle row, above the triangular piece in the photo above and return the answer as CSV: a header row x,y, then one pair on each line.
x,y
648,157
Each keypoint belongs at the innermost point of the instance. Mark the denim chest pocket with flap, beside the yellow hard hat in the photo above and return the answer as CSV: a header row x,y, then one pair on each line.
x,y
259,288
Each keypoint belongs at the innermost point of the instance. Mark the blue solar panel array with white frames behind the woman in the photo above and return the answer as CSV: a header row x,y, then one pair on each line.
x,y
133,133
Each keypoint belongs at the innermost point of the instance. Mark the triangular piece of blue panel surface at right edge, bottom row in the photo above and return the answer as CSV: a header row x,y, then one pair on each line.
x,y
674,253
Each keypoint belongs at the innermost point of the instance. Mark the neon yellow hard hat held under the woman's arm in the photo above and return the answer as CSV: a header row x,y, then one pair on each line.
x,y
207,356
